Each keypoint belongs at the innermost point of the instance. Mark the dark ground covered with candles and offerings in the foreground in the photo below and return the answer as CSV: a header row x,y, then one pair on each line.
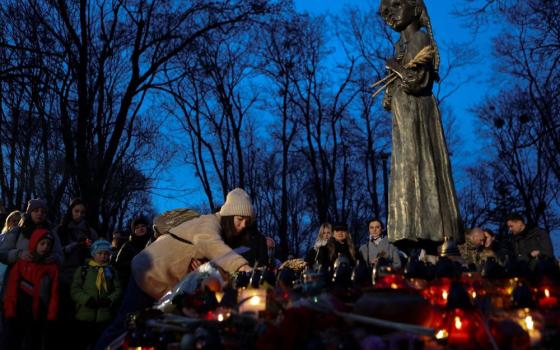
x,y
432,307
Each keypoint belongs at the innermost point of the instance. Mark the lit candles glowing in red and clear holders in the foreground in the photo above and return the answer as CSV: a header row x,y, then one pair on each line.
x,y
456,325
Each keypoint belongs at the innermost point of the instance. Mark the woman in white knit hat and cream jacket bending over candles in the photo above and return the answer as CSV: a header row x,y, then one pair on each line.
x,y
161,265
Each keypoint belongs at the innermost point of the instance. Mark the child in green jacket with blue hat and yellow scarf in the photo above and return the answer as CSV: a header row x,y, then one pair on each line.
x,y
96,291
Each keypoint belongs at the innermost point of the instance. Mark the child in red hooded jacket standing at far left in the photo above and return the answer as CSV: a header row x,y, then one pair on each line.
x,y
31,296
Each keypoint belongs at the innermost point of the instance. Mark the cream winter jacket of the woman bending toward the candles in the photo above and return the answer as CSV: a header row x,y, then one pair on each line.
x,y
165,262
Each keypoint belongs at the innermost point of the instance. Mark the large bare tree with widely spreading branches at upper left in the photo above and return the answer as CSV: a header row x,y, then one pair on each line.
x,y
105,57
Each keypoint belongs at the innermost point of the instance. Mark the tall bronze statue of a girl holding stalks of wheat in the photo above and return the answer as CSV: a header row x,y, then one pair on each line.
x,y
422,200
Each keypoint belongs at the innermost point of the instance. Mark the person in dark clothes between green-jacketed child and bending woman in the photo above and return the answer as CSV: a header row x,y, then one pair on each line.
x,y
140,237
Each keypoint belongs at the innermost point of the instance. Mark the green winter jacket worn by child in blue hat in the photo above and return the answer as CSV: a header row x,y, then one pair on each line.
x,y
84,288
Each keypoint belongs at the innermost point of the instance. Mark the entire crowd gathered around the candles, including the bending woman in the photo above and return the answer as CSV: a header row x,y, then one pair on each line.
x,y
66,284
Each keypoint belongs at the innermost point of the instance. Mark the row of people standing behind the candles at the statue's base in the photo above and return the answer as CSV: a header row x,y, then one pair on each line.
x,y
525,245
